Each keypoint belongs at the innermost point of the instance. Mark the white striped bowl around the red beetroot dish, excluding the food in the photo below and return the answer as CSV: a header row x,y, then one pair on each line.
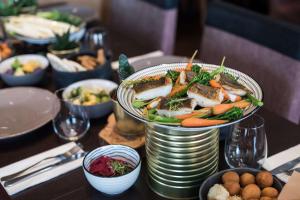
x,y
113,185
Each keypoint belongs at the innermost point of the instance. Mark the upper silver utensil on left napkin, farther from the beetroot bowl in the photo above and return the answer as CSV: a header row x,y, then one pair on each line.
x,y
64,155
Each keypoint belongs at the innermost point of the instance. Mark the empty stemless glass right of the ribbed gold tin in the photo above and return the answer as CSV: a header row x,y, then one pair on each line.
x,y
246,145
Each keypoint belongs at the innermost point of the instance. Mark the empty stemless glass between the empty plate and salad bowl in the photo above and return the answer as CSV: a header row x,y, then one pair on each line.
x,y
71,121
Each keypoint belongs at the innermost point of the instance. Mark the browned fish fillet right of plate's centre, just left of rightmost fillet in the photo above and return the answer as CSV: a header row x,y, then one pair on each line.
x,y
205,96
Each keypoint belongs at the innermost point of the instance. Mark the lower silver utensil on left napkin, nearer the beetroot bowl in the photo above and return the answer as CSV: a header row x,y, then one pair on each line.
x,y
13,181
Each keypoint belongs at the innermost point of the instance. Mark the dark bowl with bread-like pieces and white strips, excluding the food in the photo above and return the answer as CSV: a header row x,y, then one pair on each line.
x,y
63,79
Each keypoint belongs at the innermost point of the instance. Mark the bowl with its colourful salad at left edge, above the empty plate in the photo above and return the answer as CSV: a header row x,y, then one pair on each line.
x,y
23,70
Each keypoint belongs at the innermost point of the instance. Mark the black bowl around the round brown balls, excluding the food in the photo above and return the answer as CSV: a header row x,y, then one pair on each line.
x,y
217,179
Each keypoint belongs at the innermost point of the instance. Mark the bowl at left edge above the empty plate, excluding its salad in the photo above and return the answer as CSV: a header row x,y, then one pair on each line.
x,y
25,80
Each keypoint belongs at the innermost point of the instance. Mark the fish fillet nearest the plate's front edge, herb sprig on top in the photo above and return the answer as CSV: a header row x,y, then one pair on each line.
x,y
184,107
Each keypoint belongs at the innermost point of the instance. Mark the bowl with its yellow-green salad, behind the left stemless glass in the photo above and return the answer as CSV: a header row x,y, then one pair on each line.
x,y
92,94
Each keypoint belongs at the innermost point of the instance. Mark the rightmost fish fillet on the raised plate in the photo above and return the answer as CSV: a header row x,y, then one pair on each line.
x,y
232,86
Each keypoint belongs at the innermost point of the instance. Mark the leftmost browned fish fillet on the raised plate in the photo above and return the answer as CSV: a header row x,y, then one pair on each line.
x,y
154,88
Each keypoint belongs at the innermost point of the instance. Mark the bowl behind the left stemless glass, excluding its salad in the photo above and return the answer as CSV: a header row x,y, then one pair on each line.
x,y
98,110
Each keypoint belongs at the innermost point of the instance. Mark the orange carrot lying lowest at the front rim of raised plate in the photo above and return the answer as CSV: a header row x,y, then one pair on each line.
x,y
194,122
